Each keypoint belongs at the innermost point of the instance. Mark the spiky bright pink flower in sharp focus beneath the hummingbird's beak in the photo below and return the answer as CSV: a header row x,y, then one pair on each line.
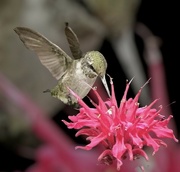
x,y
123,130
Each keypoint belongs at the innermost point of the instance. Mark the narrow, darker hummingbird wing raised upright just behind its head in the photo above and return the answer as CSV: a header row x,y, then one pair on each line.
x,y
73,42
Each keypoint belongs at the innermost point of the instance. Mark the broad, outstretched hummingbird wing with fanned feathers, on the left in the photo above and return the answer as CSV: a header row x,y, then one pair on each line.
x,y
50,55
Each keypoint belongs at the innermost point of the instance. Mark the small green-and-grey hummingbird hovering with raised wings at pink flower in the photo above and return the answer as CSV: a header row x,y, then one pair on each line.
x,y
77,73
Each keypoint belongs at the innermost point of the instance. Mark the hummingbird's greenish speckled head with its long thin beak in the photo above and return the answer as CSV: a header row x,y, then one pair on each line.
x,y
98,64
